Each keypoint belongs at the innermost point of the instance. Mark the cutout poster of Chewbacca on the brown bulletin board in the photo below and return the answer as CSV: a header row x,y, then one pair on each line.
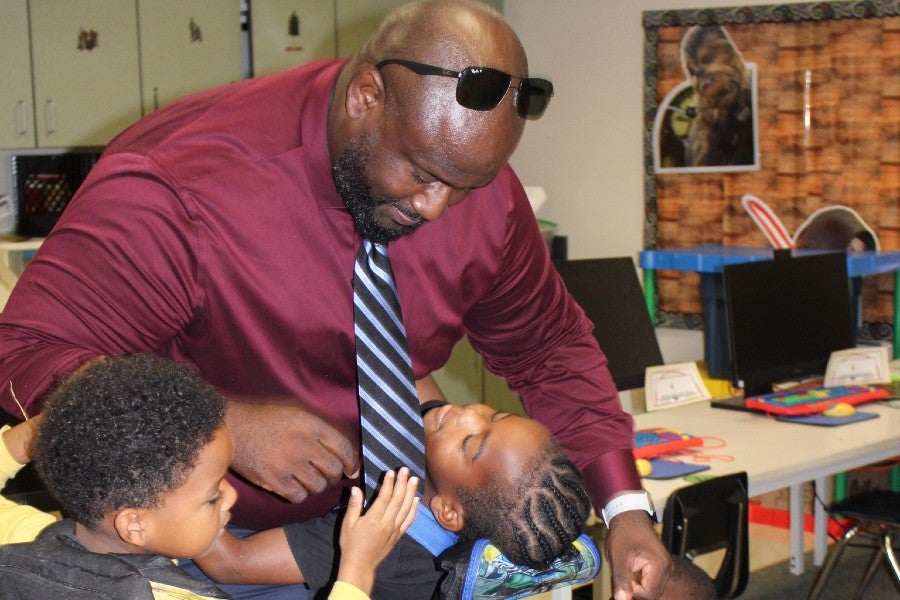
x,y
708,121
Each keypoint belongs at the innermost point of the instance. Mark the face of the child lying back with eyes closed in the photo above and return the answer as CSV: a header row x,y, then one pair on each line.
x,y
468,445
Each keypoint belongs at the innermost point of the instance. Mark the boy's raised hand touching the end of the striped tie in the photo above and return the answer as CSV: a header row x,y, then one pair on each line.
x,y
367,539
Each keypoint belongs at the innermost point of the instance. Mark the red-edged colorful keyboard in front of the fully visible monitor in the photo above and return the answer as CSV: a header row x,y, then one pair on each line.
x,y
807,401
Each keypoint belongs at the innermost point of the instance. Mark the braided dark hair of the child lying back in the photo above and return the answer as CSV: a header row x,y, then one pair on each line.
x,y
546,505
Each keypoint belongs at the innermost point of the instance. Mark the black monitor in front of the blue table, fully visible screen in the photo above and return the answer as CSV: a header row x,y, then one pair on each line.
x,y
785,317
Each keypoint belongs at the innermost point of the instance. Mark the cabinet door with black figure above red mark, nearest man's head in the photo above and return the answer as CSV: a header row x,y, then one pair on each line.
x,y
286,33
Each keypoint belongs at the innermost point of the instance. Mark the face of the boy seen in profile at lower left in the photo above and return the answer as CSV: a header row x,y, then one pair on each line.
x,y
190,517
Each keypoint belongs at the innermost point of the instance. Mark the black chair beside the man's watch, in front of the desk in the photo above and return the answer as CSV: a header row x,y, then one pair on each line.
x,y
709,517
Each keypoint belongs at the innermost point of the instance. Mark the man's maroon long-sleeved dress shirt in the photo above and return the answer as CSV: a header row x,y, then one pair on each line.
x,y
211,232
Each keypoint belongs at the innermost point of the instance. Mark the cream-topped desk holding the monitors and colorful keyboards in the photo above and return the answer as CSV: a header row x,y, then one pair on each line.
x,y
779,455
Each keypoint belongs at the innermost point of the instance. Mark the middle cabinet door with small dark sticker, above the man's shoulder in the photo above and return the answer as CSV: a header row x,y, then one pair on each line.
x,y
187,46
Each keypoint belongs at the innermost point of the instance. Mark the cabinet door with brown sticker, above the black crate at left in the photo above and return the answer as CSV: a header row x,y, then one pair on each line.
x,y
86,73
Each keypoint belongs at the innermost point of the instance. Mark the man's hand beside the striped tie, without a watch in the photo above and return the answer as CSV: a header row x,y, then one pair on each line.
x,y
287,450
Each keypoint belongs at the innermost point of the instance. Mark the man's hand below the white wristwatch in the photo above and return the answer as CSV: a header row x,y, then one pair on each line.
x,y
640,563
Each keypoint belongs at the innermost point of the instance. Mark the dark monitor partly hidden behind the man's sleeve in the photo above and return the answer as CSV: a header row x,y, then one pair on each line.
x,y
612,298
